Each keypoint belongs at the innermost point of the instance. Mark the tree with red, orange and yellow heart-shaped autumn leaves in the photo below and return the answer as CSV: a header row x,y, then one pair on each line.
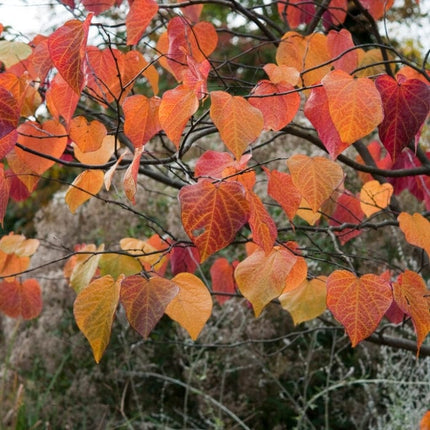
x,y
152,93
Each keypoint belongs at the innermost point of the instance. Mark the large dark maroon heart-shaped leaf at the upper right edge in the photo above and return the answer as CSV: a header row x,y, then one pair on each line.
x,y
406,105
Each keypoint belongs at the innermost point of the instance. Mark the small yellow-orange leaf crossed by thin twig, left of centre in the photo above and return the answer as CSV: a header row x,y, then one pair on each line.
x,y
85,186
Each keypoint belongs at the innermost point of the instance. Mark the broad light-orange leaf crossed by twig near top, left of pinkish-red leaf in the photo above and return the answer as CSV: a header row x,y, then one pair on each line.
x,y
304,52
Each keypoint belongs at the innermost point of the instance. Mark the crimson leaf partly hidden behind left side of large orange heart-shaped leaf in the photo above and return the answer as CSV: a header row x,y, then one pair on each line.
x,y
317,112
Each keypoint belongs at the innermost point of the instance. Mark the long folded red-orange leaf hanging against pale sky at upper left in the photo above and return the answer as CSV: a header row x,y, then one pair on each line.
x,y
67,49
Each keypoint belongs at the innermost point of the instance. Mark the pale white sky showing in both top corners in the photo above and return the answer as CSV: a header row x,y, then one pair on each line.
x,y
33,16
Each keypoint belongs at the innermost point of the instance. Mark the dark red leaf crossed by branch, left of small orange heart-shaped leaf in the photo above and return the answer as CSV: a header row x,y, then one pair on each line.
x,y
348,210
